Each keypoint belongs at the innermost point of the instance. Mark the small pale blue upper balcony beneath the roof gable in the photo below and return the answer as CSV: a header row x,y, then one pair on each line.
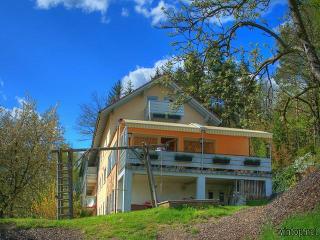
x,y
156,109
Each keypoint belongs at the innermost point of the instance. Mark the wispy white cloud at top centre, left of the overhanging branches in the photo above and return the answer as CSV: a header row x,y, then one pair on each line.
x,y
156,14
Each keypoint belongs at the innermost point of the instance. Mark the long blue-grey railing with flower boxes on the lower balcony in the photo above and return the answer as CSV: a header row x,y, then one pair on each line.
x,y
205,161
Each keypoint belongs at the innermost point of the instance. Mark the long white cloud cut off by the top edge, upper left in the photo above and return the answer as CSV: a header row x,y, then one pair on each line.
x,y
86,5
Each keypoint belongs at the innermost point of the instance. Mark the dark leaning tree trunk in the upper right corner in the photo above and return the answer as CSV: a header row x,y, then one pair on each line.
x,y
309,49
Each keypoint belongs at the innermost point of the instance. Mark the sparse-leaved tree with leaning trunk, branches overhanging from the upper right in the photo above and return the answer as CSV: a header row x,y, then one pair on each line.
x,y
201,23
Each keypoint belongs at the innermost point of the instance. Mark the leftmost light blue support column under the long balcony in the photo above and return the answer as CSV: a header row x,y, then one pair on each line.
x,y
127,189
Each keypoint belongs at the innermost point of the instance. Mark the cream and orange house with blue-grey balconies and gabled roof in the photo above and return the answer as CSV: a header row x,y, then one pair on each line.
x,y
202,160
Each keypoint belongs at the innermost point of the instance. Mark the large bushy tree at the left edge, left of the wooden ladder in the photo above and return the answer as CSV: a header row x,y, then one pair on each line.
x,y
26,164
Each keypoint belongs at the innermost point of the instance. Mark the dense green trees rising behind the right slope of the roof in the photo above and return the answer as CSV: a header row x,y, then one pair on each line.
x,y
214,81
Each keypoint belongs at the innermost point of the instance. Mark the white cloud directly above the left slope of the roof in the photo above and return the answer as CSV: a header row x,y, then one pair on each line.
x,y
143,75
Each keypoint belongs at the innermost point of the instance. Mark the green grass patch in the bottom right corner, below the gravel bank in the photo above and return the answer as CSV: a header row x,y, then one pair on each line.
x,y
309,221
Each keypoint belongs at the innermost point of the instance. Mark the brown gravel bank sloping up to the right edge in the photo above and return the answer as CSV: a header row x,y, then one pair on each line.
x,y
247,223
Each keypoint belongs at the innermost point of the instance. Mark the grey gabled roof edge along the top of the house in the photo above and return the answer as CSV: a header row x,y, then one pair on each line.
x,y
103,114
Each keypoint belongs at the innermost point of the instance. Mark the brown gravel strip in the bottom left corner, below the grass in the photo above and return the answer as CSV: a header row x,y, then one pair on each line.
x,y
11,232
